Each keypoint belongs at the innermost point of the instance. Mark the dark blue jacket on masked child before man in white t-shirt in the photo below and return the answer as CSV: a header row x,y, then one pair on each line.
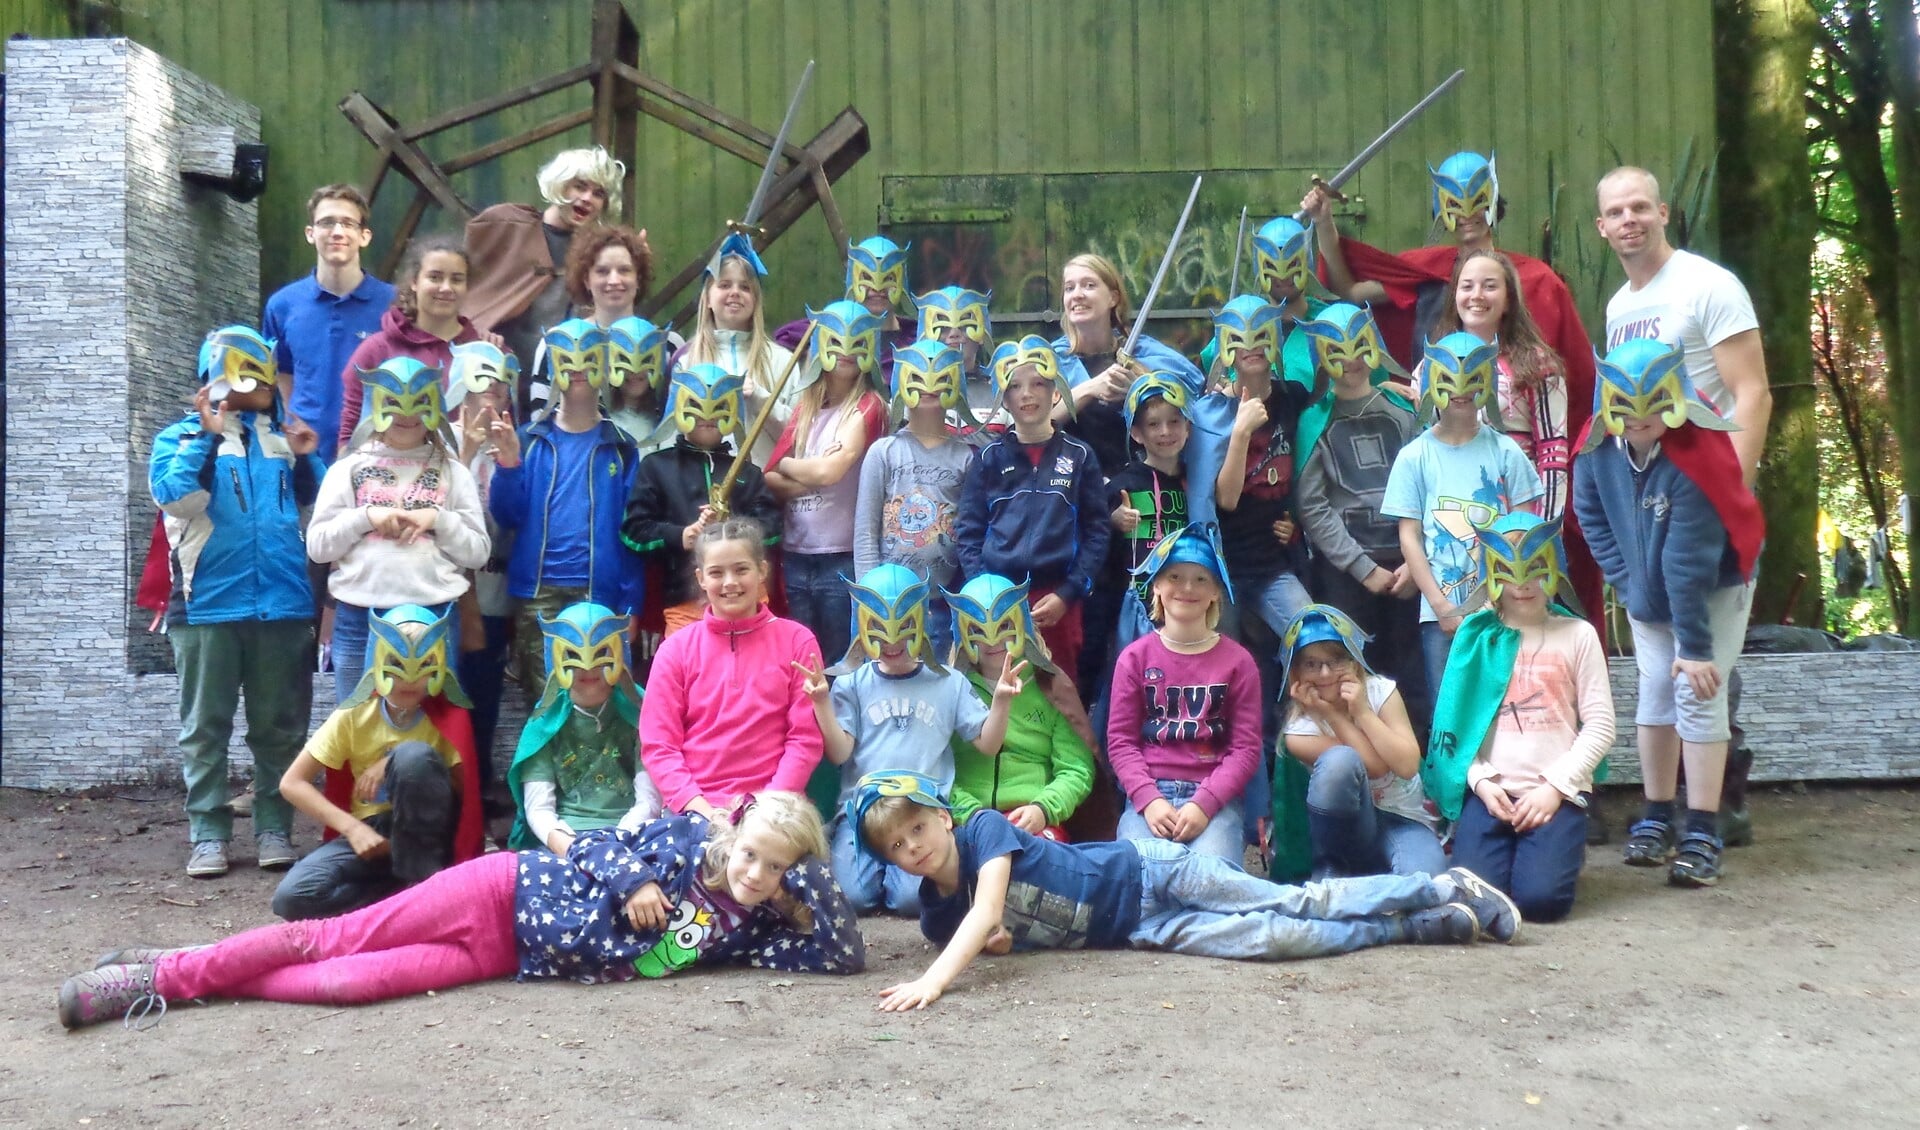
x,y
1658,540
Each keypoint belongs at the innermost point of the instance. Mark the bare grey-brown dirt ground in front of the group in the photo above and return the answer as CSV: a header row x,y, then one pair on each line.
x,y
1781,999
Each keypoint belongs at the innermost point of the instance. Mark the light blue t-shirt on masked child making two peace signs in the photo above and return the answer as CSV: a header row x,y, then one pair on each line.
x,y
905,722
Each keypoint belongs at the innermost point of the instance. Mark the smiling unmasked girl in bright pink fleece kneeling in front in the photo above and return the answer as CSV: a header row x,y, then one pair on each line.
x,y
727,711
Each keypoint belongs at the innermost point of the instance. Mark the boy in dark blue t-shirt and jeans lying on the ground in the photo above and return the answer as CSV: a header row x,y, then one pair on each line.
x,y
994,887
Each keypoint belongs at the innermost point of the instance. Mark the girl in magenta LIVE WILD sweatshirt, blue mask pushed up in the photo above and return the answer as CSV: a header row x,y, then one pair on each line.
x,y
1184,726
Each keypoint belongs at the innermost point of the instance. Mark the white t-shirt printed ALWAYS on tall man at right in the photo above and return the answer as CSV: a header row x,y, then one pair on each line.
x,y
1692,304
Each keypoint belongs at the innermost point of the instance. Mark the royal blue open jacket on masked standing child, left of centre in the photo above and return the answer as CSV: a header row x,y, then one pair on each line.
x,y
521,502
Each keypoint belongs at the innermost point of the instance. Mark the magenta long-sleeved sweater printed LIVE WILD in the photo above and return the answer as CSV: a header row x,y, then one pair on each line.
x,y
1184,718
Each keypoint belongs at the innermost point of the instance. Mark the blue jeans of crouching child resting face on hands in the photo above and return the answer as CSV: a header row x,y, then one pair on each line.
x,y
1351,836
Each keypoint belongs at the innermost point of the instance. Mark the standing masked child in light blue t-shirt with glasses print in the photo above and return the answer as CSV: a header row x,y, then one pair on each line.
x,y
1451,481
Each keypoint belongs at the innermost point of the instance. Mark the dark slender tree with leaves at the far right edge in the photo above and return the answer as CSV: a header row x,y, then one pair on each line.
x,y
1863,101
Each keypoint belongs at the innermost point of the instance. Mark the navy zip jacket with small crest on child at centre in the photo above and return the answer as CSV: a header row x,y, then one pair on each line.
x,y
1047,523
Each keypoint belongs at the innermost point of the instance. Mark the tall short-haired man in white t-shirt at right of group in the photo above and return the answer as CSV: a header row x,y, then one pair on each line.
x,y
1698,306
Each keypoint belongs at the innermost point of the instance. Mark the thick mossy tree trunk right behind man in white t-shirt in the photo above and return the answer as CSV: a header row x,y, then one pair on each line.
x,y
1767,233
